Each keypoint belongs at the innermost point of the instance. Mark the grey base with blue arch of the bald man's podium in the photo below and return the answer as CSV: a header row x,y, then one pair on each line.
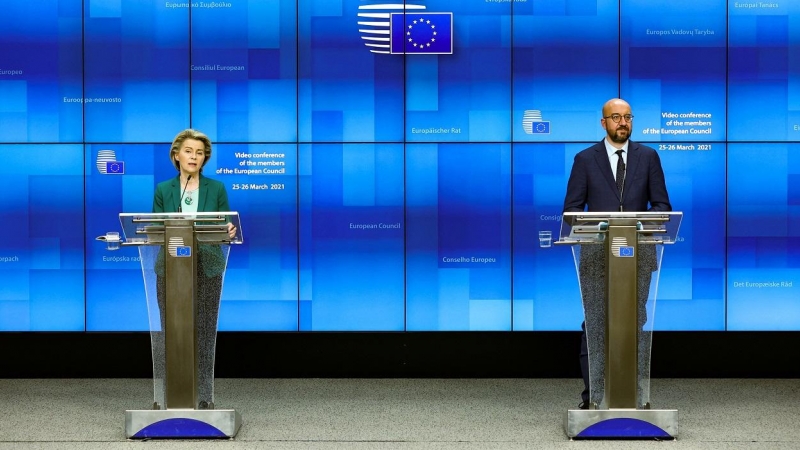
x,y
621,423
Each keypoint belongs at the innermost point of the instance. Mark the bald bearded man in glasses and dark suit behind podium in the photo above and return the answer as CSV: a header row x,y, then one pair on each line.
x,y
613,175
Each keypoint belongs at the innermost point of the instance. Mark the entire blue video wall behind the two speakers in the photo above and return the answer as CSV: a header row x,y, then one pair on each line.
x,y
393,166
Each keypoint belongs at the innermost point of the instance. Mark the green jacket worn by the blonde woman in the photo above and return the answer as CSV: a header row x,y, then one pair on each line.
x,y
213,197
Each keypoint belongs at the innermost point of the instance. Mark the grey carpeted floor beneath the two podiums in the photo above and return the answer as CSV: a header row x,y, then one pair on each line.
x,y
332,414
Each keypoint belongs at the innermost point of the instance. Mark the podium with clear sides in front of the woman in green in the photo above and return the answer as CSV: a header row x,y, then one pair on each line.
x,y
183,259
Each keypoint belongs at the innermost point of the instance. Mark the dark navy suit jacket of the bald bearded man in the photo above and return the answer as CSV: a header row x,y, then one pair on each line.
x,y
591,184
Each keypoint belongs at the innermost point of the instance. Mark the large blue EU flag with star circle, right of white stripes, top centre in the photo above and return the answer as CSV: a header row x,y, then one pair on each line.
x,y
422,33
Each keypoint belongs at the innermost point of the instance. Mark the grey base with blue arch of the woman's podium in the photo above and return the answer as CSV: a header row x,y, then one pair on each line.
x,y
182,424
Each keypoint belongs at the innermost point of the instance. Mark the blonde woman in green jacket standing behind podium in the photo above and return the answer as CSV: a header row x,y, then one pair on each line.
x,y
190,192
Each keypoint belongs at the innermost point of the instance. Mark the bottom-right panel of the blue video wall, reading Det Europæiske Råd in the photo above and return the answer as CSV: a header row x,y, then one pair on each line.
x,y
763,236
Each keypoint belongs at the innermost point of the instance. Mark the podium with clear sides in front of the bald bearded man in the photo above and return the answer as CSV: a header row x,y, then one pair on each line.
x,y
618,257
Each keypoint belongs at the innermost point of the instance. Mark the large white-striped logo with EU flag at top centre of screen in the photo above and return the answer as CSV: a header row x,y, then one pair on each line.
x,y
405,29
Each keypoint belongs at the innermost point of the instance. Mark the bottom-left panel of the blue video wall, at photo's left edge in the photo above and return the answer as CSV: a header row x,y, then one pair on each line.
x,y
43,257
